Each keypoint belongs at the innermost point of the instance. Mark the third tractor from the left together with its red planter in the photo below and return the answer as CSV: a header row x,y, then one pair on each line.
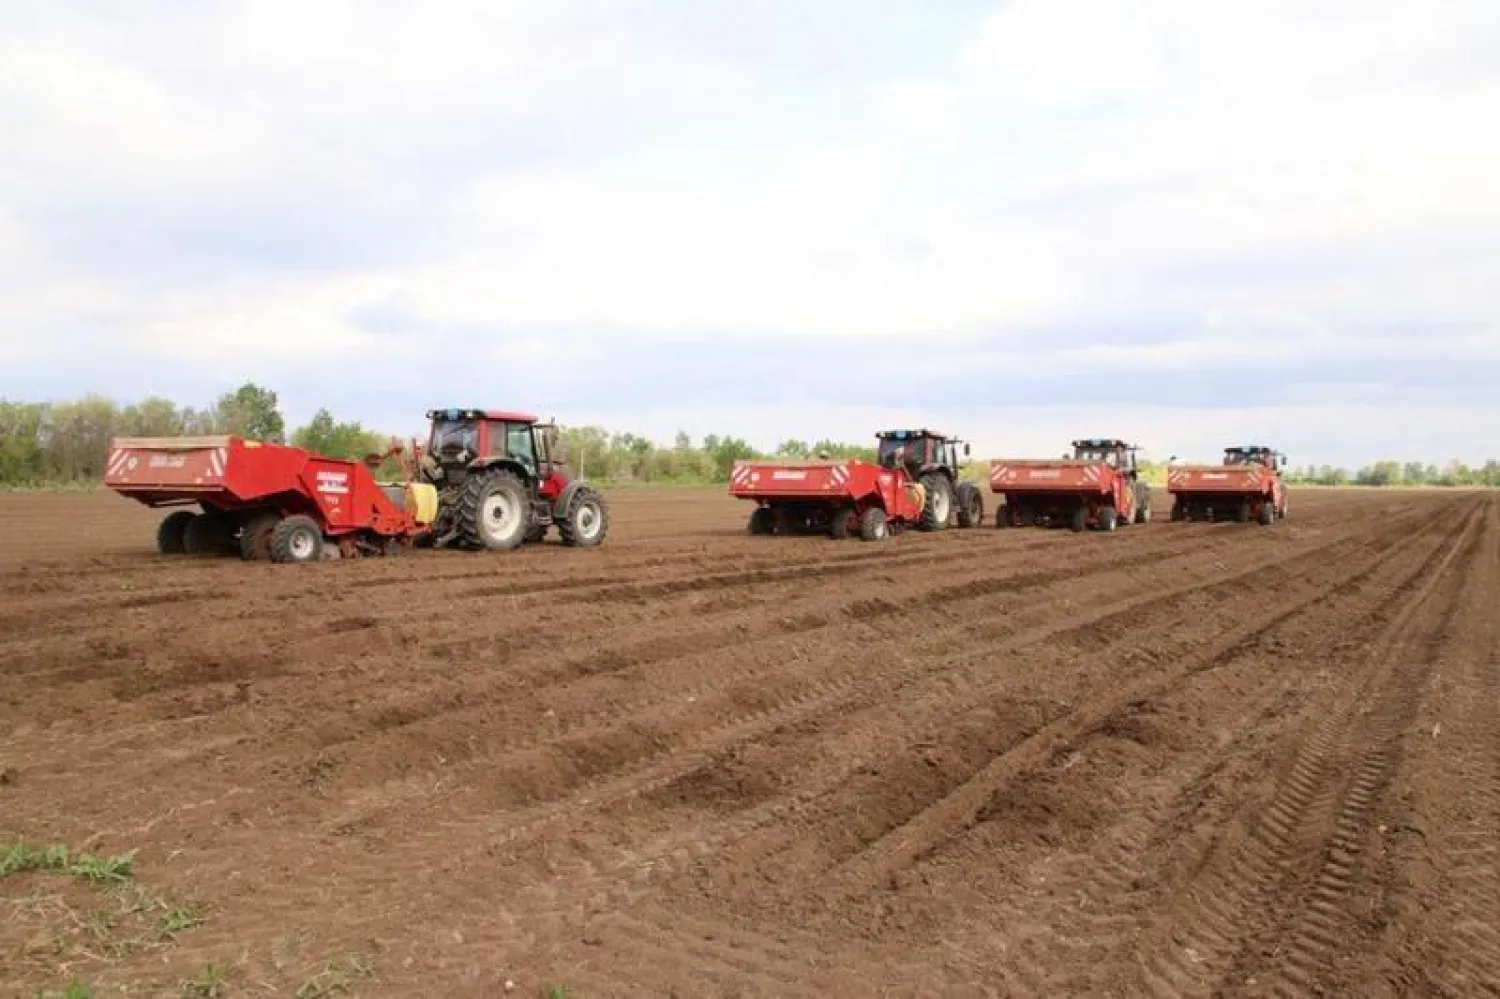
x,y
1099,487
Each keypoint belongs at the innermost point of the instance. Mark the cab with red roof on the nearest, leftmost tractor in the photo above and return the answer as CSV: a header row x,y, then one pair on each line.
x,y
467,440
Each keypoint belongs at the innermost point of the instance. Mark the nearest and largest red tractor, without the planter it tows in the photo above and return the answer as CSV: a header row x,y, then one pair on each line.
x,y
502,482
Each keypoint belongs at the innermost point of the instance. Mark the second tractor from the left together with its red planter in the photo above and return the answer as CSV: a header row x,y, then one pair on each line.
x,y
913,484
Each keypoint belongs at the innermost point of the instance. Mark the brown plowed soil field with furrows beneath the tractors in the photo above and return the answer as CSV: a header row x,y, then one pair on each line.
x,y
1181,760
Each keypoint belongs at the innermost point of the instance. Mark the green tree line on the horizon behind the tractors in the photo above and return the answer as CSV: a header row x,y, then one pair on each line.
x,y
65,443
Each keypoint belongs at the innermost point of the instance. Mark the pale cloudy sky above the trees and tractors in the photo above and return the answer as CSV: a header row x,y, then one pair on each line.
x,y
1183,223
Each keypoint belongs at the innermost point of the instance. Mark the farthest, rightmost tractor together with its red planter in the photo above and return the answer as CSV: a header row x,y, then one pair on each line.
x,y
1246,487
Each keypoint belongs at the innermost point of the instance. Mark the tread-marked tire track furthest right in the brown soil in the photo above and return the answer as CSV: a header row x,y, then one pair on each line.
x,y
1292,875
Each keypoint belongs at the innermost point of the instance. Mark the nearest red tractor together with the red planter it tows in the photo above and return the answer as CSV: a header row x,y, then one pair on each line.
x,y
485,481
